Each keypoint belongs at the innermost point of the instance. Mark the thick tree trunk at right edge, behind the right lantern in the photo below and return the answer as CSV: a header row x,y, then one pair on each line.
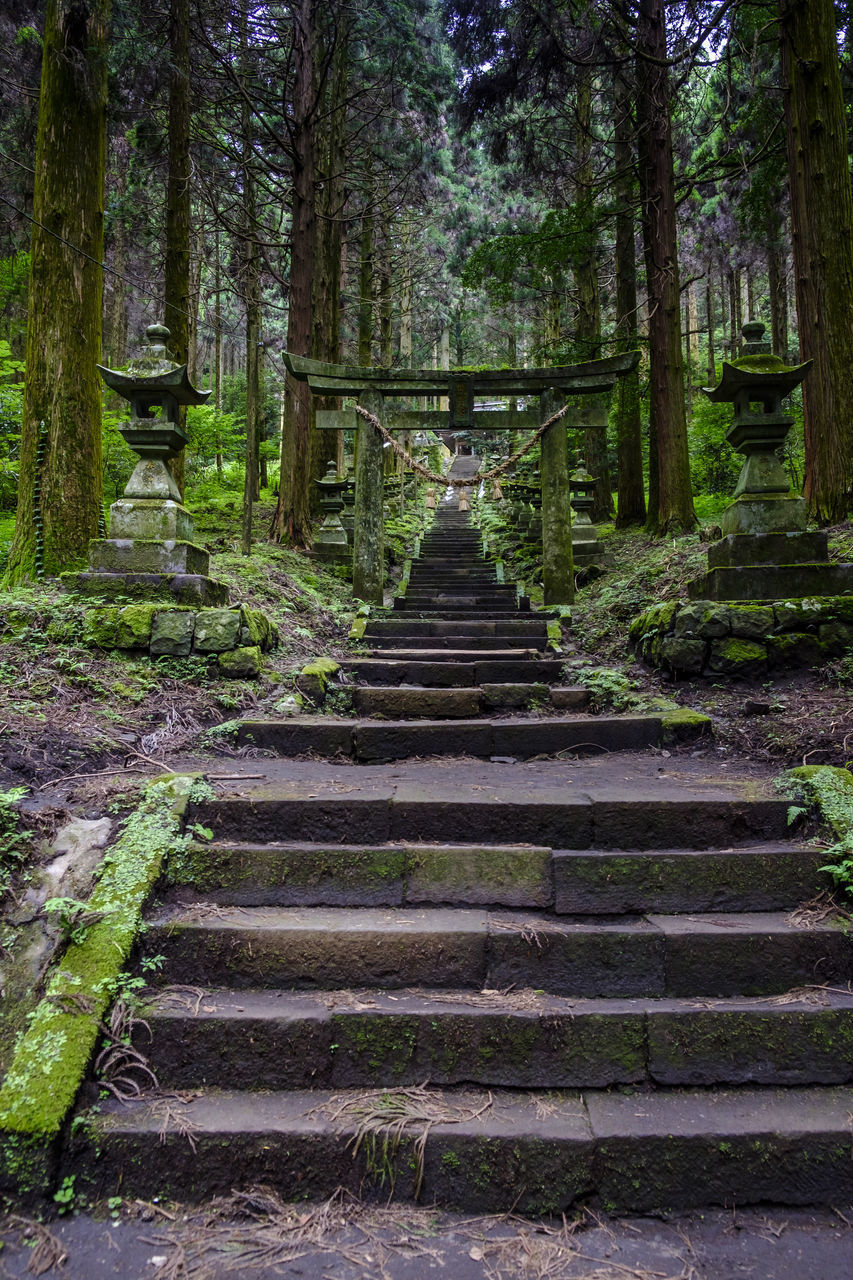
x,y
822,214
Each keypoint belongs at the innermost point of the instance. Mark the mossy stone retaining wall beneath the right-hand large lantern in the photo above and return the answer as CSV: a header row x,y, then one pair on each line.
x,y
713,639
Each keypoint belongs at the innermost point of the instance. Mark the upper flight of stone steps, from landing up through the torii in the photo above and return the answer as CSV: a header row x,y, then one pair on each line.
x,y
459,647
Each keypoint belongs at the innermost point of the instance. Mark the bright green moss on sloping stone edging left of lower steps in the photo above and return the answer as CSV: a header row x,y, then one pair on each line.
x,y
54,1054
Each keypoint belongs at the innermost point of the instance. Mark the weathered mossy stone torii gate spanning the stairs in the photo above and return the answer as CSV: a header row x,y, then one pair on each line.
x,y
371,387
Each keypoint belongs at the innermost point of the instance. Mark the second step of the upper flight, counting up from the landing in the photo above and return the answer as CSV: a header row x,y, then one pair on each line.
x,y
395,702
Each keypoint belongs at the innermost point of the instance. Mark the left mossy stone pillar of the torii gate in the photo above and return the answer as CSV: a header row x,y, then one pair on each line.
x,y
370,528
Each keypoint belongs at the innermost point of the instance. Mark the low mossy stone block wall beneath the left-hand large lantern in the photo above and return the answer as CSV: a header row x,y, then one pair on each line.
x,y
236,638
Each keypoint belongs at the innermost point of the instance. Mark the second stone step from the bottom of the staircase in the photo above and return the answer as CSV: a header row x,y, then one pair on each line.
x,y
523,1040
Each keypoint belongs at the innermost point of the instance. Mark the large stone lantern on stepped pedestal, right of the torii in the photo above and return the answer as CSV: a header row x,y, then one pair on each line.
x,y
765,554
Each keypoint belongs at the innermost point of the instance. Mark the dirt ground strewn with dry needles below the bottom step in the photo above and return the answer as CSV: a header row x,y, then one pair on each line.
x,y
256,1236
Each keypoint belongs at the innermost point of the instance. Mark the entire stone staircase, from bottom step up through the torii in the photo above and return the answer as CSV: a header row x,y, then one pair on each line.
x,y
495,986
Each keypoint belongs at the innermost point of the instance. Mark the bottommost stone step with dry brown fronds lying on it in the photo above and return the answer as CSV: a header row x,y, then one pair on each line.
x,y
496,1151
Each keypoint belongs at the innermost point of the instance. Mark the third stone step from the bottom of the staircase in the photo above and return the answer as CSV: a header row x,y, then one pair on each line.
x,y
727,954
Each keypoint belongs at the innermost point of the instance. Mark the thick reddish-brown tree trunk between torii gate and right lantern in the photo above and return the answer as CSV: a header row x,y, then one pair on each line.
x,y
674,509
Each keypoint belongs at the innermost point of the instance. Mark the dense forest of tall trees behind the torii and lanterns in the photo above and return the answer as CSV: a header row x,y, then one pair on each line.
x,y
408,185
